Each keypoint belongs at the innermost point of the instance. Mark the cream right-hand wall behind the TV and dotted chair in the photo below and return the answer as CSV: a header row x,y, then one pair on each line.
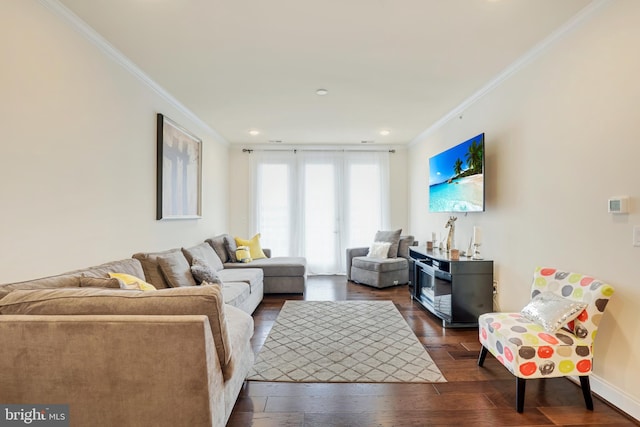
x,y
561,138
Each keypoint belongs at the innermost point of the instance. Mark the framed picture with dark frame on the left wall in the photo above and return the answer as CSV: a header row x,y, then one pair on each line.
x,y
179,172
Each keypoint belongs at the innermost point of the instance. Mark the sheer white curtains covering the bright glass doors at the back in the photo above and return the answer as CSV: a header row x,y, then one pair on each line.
x,y
318,203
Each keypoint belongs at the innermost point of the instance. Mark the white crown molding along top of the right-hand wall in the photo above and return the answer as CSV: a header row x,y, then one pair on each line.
x,y
578,19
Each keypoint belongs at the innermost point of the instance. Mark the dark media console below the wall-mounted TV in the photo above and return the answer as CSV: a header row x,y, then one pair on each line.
x,y
455,291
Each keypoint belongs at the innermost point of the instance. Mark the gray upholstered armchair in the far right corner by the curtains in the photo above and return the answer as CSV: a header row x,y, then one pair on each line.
x,y
380,272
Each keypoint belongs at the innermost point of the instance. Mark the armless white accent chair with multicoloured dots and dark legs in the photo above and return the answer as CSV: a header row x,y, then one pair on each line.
x,y
542,341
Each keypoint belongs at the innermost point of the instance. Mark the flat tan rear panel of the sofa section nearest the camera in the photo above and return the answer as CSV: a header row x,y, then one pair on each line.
x,y
118,369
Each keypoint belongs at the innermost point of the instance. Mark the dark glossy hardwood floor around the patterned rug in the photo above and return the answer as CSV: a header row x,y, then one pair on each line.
x,y
473,396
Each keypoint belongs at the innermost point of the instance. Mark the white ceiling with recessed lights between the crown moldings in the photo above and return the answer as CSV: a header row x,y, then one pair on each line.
x,y
388,64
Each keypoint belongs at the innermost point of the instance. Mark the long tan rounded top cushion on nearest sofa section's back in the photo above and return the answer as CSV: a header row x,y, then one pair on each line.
x,y
202,300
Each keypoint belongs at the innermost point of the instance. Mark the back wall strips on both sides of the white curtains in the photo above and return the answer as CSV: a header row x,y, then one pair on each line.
x,y
240,175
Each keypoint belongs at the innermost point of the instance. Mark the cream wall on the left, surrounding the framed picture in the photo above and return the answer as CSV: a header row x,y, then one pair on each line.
x,y
77,154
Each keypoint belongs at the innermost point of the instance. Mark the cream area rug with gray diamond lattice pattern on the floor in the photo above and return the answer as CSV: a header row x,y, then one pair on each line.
x,y
343,341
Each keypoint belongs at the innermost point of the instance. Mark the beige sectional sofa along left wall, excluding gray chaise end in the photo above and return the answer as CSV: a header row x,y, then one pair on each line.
x,y
175,356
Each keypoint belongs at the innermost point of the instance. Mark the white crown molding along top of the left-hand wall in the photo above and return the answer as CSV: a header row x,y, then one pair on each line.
x,y
114,54
